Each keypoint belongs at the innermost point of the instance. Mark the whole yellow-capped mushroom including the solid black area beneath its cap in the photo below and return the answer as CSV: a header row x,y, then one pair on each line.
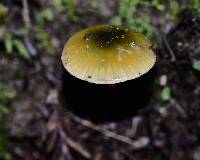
x,y
107,55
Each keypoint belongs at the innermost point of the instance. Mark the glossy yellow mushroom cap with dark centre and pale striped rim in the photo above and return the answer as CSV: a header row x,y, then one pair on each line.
x,y
107,54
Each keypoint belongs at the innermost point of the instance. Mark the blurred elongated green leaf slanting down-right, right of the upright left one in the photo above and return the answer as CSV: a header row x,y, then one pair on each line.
x,y
21,49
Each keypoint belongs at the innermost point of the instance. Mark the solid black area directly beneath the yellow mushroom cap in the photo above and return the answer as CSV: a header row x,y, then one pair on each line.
x,y
101,103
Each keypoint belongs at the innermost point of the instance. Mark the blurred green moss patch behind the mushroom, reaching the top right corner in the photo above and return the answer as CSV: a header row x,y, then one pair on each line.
x,y
129,13
